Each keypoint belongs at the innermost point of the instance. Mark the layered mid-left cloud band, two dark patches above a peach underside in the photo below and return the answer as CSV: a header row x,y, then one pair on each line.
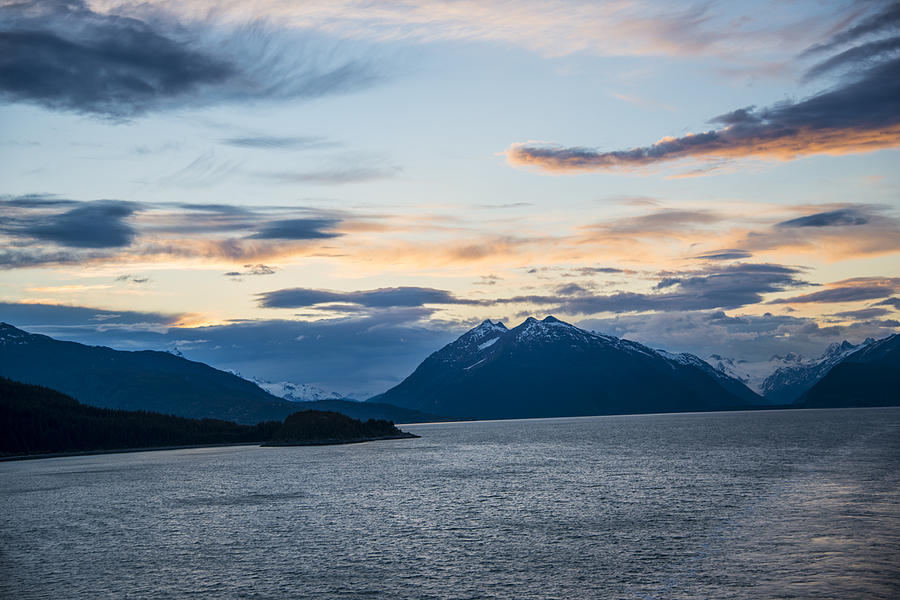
x,y
117,230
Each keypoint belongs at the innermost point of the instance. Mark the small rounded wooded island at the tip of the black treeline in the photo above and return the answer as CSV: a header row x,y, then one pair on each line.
x,y
319,428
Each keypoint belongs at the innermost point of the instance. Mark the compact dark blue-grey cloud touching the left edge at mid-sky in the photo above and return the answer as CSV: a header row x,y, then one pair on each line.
x,y
99,224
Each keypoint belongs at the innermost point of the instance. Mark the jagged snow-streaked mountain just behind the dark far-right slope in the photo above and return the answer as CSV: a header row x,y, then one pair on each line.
x,y
789,382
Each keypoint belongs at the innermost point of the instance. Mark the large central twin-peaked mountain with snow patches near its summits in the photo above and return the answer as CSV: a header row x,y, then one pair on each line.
x,y
551,368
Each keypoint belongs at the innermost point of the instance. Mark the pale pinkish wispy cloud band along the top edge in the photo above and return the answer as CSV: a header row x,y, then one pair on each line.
x,y
550,27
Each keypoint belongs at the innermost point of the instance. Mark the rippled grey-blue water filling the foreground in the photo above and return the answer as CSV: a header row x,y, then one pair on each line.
x,y
788,504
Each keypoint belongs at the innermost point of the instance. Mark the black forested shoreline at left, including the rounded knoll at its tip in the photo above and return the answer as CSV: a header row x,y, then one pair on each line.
x,y
38,420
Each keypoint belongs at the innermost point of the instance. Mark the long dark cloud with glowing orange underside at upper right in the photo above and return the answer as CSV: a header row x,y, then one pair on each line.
x,y
860,114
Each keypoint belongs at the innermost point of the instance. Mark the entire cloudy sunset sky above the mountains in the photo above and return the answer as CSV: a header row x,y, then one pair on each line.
x,y
326,192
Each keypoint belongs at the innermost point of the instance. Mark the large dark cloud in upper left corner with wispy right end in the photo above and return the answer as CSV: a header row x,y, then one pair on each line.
x,y
64,56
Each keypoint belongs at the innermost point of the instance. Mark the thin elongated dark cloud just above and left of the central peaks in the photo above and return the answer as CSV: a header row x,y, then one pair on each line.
x,y
378,298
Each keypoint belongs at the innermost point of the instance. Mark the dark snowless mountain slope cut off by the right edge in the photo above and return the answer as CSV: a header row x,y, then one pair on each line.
x,y
870,376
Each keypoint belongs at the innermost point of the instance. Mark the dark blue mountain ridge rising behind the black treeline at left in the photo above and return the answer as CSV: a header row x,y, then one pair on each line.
x,y
148,380
